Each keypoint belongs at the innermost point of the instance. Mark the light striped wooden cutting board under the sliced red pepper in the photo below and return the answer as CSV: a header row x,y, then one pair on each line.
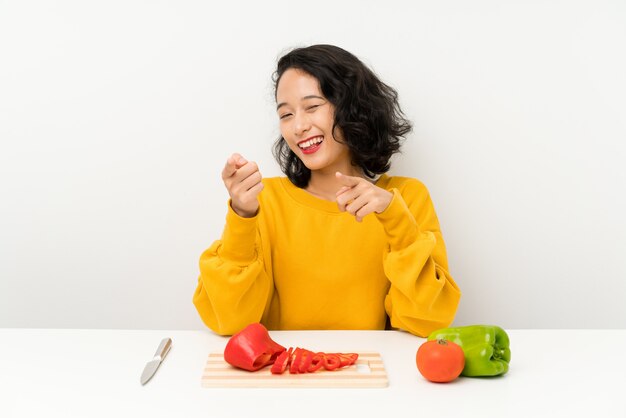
x,y
368,371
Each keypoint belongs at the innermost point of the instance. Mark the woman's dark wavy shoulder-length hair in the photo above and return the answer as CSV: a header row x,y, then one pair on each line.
x,y
366,110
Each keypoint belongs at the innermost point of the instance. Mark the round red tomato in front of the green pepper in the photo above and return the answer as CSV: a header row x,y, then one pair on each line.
x,y
440,360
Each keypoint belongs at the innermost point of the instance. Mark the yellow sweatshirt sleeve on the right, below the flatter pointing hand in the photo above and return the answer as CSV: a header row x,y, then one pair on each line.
x,y
423,296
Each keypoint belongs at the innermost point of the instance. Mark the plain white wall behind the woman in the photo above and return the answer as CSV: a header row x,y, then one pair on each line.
x,y
116,118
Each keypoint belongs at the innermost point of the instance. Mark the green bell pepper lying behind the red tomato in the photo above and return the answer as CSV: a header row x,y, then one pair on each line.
x,y
486,348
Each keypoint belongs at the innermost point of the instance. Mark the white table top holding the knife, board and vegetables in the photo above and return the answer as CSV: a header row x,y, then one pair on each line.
x,y
95,373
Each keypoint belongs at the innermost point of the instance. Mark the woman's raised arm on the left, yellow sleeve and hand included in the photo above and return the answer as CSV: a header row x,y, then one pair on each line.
x,y
233,288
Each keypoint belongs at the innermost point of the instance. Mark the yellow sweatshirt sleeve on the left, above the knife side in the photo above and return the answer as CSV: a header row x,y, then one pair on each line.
x,y
233,288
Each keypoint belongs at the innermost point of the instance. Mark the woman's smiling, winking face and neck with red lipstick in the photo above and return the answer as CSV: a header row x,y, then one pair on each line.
x,y
306,123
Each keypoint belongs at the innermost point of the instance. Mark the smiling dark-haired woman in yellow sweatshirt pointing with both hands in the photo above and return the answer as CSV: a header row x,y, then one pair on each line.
x,y
337,244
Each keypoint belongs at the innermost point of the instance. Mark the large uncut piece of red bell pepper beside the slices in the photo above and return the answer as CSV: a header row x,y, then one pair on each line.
x,y
252,348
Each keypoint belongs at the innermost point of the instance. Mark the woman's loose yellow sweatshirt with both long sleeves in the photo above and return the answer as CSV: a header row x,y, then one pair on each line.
x,y
300,263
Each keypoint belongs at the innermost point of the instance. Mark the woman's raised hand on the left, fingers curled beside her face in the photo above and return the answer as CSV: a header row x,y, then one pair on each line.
x,y
243,182
